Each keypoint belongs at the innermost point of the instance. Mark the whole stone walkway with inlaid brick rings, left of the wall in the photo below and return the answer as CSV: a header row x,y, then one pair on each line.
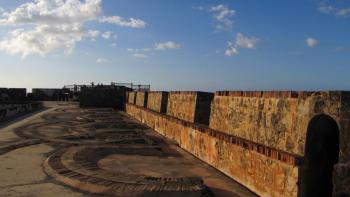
x,y
69,151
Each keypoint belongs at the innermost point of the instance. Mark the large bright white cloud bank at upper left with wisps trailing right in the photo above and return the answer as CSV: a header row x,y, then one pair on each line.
x,y
45,26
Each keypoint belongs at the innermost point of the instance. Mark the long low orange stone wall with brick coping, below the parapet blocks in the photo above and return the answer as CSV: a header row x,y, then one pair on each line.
x,y
266,171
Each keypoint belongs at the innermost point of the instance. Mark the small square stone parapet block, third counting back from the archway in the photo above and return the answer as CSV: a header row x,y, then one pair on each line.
x,y
158,101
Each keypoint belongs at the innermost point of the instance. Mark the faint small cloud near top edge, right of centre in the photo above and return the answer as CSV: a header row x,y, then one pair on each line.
x,y
223,15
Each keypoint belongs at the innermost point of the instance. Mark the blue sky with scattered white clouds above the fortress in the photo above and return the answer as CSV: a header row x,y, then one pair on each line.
x,y
176,44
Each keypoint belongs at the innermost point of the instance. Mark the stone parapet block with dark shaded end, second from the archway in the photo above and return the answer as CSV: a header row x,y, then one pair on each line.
x,y
190,106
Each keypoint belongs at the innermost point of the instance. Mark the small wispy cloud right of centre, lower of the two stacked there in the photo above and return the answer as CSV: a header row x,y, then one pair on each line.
x,y
241,42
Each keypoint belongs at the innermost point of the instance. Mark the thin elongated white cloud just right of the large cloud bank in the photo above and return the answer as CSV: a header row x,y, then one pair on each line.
x,y
132,22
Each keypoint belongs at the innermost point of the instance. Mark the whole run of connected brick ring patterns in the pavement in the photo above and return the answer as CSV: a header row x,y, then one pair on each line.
x,y
107,152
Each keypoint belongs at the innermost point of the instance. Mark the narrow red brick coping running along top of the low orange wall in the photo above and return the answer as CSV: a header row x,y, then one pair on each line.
x,y
273,153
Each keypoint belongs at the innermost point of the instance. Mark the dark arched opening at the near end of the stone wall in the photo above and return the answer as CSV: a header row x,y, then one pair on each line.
x,y
321,153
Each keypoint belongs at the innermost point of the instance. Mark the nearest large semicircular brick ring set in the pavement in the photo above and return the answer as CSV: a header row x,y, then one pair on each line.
x,y
84,167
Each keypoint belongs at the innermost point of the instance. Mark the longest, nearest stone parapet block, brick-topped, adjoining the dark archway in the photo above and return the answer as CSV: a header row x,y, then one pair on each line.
x,y
275,119
